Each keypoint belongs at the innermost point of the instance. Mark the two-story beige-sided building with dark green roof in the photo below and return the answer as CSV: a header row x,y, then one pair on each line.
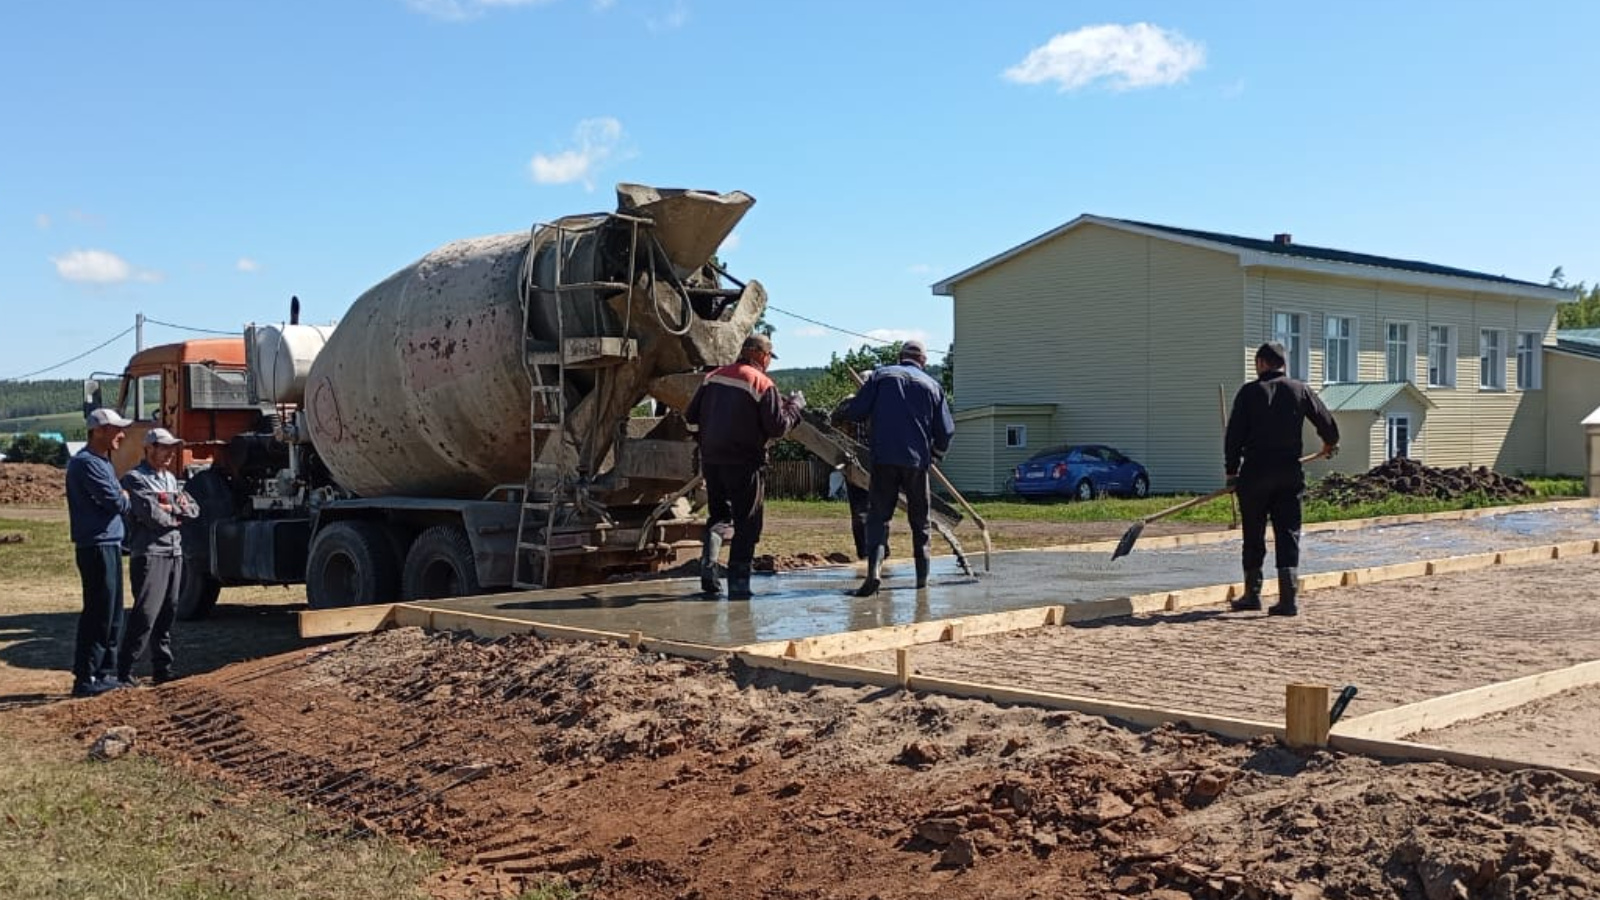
x,y
1130,334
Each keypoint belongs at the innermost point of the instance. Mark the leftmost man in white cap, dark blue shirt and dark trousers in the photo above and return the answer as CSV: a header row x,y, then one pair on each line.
x,y
95,508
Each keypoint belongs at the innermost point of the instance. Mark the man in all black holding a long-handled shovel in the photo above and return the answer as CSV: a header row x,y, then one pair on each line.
x,y
1263,451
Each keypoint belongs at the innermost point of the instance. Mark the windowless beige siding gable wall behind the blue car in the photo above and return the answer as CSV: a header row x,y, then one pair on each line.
x,y
1122,332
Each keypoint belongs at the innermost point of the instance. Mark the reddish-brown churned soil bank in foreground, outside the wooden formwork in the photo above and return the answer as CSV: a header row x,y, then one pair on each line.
x,y
646,777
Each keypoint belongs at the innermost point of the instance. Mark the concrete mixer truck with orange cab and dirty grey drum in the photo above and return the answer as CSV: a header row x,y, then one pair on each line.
x,y
471,424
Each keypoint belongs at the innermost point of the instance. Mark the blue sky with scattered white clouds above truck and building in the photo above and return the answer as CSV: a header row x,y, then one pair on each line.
x,y
202,161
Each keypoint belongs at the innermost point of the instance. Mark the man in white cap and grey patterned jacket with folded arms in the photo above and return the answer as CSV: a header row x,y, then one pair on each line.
x,y
159,508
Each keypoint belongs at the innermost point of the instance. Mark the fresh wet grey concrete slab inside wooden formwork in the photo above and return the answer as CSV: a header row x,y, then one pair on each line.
x,y
818,601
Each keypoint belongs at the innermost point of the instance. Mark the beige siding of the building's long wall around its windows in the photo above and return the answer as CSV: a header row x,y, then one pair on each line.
x,y
1468,427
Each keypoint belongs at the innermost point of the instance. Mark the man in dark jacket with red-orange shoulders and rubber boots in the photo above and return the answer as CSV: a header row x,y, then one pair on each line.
x,y
738,412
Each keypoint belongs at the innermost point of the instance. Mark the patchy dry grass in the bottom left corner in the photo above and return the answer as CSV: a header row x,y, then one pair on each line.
x,y
130,829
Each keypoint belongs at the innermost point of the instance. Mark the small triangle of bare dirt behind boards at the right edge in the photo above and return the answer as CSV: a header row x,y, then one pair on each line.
x,y
1556,731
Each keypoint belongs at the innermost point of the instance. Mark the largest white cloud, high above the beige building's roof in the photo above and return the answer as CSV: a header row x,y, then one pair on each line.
x,y
1127,57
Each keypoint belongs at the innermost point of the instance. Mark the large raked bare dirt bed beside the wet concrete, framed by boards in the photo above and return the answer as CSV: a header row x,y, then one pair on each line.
x,y
1398,643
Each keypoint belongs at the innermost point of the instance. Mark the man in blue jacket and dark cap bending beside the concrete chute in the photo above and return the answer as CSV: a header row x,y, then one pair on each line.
x,y
911,432
